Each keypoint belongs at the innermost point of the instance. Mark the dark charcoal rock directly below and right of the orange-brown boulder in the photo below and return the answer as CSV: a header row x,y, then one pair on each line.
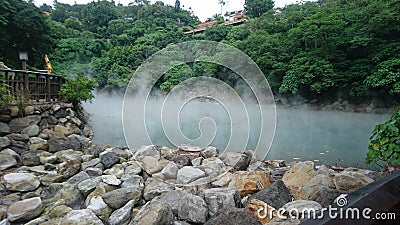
x,y
275,195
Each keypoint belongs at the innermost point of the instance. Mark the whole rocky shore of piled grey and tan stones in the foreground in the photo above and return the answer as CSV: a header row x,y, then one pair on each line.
x,y
51,173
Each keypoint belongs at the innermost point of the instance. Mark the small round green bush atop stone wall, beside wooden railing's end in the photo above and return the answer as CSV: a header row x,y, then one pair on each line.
x,y
78,89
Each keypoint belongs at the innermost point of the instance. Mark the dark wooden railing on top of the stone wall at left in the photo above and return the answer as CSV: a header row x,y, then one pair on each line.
x,y
38,86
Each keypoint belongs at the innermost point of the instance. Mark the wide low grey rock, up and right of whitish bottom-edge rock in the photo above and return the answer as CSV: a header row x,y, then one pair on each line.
x,y
119,197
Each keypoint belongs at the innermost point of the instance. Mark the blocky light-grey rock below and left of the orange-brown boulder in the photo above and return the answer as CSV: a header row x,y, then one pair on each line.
x,y
220,198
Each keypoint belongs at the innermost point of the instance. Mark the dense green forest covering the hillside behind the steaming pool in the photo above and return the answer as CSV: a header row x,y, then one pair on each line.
x,y
320,48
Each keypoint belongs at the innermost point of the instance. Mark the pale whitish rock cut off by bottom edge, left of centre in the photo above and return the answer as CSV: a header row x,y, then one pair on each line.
x,y
75,217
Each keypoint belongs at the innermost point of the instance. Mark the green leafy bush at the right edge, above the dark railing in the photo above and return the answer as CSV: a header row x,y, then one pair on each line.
x,y
385,141
